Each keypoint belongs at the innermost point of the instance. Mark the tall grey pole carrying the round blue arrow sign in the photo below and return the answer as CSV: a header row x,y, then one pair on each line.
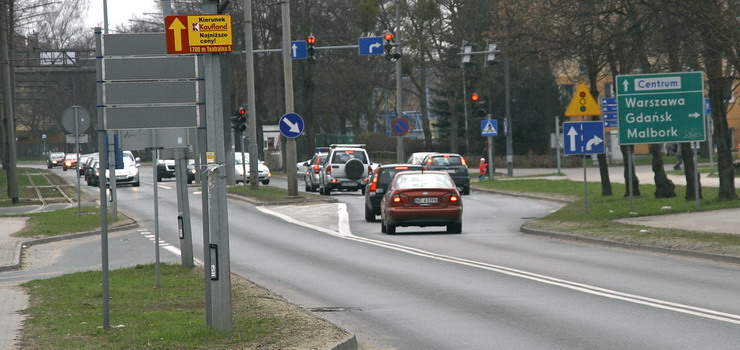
x,y
290,146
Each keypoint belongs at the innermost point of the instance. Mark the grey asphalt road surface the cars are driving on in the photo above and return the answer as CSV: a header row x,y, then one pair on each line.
x,y
490,287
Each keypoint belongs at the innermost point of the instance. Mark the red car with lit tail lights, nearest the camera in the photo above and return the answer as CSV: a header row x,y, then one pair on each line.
x,y
421,198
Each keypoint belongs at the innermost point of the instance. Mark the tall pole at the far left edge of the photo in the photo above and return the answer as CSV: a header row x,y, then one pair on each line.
x,y
8,105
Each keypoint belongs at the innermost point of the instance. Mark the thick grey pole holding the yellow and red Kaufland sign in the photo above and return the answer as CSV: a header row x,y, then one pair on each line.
x,y
218,219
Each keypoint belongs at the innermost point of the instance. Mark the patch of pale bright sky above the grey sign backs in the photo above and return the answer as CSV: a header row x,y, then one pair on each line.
x,y
119,11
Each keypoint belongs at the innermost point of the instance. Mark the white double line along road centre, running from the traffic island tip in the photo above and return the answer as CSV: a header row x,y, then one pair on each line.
x,y
345,233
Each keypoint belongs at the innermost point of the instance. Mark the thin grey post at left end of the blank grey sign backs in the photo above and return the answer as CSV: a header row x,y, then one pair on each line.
x,y
101,186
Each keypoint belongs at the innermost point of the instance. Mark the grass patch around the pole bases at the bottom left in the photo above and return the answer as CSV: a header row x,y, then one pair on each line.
x,y
66,313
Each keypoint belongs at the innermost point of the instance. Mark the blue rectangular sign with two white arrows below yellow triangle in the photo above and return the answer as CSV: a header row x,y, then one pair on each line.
x,y
584,137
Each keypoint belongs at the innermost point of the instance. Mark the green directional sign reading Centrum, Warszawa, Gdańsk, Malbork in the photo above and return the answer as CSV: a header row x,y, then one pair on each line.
x,y
657,108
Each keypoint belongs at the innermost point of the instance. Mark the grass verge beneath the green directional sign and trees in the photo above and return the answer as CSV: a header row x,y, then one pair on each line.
x,y
600,222
